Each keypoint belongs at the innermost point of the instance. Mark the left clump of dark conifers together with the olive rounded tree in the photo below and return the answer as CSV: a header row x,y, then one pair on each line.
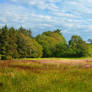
x,y
18,44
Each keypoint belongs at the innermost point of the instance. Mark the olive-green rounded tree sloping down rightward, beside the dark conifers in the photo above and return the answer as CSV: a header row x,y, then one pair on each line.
x,y
28,47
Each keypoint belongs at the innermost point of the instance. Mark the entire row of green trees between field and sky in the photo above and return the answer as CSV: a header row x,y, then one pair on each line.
x,y
19,43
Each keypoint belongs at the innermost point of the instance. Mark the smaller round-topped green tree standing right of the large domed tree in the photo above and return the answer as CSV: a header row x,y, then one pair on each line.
x,y
78,46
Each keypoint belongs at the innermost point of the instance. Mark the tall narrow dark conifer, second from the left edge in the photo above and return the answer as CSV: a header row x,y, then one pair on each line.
x,y
12,47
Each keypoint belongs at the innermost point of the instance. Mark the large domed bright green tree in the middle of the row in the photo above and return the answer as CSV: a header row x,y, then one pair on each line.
x,y
49,41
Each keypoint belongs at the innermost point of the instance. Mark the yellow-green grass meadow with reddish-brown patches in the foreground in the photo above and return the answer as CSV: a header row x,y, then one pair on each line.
x,y
31,76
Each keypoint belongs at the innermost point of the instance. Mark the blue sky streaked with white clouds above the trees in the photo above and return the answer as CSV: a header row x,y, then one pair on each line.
x,y
73,17
